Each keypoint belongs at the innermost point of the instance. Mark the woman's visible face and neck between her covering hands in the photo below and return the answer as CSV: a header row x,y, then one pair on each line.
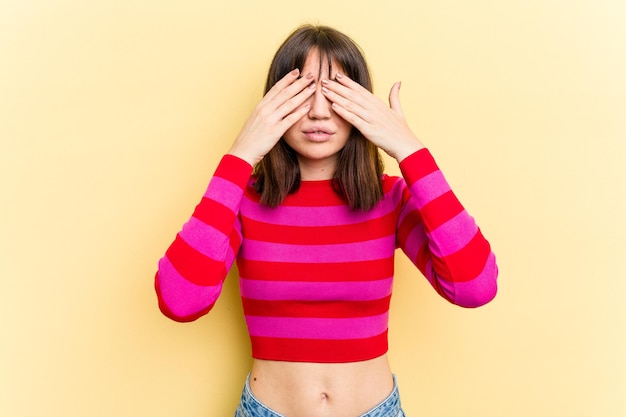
x,y
318,137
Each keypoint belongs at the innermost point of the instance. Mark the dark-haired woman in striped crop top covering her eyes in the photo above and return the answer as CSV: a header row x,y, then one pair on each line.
x,y
300,202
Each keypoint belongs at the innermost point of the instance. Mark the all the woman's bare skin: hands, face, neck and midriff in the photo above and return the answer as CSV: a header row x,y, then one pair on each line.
x,y
298,109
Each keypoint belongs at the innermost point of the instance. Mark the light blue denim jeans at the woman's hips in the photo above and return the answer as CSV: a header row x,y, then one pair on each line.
x,y
250,406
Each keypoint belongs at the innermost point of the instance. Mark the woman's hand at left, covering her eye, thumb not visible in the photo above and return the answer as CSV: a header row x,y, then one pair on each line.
x,y
279,109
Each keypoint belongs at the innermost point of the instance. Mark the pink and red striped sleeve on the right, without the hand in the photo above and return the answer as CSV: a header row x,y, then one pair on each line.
x,y
441,238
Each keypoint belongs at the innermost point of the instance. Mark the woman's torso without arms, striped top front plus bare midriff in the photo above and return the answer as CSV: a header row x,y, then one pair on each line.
x,y
357,281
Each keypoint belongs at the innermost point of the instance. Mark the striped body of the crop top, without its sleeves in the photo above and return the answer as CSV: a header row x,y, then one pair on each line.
x,y
315,276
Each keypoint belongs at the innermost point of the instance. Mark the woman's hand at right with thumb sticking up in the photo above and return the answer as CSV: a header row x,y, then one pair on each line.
x,y
383,125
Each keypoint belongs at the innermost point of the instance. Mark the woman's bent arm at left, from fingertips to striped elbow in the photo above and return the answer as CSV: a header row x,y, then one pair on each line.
x,y
191,273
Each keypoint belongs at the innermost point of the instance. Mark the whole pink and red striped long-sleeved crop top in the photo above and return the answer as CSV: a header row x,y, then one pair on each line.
x,y
315,276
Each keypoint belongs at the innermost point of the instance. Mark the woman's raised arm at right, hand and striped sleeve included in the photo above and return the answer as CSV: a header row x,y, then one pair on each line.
x,y
435,230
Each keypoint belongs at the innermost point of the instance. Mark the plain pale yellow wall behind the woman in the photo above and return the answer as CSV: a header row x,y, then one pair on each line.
x,y
113,115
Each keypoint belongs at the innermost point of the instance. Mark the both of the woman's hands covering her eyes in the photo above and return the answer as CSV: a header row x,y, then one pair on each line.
x,y
286,103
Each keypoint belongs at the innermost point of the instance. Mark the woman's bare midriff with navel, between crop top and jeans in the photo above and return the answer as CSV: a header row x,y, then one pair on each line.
x,y
306,389
